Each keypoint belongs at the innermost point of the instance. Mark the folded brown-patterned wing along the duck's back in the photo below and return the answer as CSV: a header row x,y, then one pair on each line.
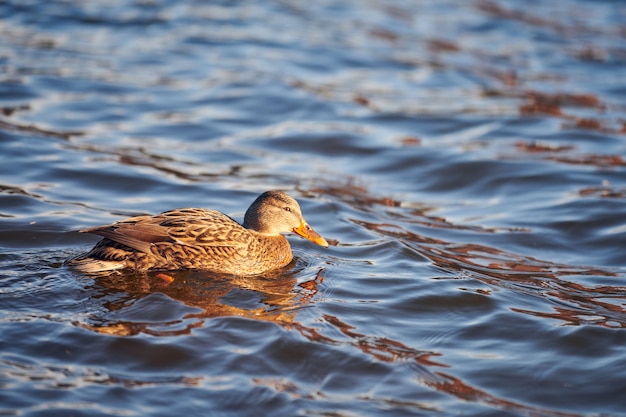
x,y
190,226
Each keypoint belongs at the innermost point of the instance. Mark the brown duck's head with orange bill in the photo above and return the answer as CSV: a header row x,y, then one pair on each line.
x,y
275,212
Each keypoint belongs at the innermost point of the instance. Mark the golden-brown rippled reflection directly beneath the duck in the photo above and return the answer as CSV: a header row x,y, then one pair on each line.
x,y
275,296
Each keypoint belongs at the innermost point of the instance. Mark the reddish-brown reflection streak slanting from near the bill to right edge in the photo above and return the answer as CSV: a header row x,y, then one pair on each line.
x,y
578,303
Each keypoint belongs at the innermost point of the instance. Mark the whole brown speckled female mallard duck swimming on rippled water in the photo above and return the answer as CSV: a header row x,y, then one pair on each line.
x,y
194,238
